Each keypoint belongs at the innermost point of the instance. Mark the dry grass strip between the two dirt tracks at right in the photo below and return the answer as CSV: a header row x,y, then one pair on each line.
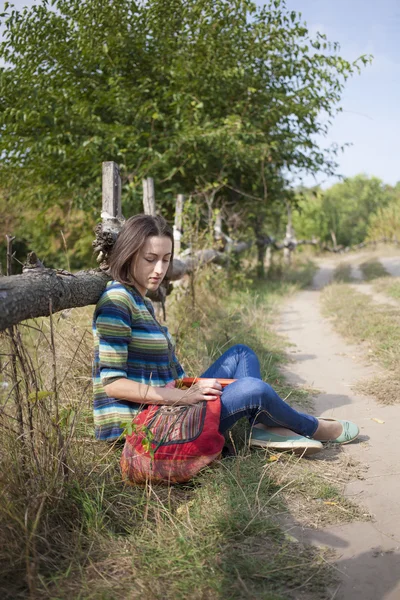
x,y
359,319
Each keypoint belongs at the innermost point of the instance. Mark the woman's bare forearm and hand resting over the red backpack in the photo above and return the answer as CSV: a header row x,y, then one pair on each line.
x,y
126,389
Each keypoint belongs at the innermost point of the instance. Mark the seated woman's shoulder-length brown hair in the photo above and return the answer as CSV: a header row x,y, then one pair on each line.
x,y
131,239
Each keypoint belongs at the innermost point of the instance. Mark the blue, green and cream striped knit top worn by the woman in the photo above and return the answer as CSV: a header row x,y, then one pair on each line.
x,y
129,343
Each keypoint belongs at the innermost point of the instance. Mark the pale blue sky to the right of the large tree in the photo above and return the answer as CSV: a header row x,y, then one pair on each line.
x,y
370,120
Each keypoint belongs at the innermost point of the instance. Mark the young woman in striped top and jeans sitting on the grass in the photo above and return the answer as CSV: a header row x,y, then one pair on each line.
x,y
135,362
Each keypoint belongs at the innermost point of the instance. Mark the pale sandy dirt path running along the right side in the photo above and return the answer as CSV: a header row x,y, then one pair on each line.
x,y
368,551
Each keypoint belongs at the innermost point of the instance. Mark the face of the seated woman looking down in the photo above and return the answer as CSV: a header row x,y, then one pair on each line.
x,y
150,264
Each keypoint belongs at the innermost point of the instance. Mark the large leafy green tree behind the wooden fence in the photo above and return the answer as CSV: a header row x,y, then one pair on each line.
x,y
217,99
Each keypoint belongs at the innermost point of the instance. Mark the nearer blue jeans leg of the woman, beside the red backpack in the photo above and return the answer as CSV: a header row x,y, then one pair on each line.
x,y
252,398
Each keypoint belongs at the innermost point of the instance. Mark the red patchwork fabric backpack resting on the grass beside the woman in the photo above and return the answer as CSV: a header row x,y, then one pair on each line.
x,y
172,443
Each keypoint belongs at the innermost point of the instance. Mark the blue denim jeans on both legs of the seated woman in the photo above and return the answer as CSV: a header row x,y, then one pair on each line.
x,y
253,398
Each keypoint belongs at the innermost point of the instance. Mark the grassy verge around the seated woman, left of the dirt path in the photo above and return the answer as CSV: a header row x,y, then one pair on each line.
x,y
70,528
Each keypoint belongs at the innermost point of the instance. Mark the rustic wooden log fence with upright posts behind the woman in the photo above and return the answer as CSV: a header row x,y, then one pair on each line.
x,y
41,291
